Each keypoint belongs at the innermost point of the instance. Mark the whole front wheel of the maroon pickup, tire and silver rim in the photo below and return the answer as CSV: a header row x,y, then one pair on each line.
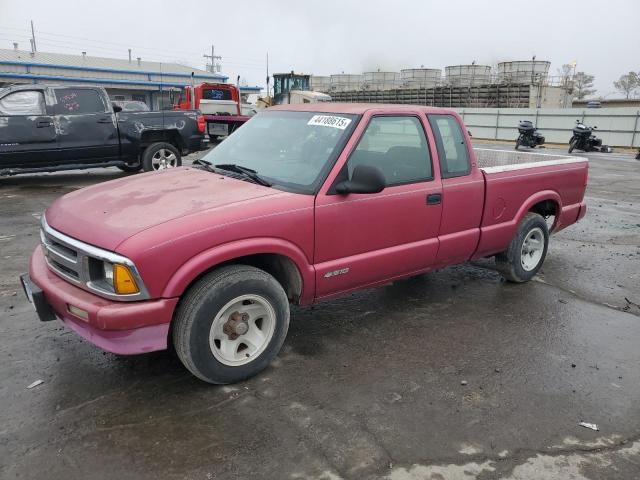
x,y
231,324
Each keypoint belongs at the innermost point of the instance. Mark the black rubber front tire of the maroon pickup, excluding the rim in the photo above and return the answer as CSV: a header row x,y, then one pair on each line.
x,y
203,302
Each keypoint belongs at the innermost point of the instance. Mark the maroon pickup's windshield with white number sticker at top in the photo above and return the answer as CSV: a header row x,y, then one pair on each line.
x,y
293,151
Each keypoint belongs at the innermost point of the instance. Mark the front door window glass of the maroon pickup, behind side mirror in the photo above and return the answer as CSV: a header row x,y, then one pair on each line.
x,y
397,146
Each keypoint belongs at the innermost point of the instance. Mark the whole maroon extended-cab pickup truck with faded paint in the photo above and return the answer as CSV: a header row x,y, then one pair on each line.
x,y
302,204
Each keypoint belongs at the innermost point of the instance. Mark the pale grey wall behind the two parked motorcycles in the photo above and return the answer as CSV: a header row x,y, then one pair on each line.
x,y
618,127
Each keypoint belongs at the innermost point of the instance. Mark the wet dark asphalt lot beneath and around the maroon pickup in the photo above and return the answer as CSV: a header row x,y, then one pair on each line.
x,y
450,375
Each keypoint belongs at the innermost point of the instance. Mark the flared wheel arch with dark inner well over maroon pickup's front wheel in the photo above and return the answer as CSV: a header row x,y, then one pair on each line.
x,y
283,260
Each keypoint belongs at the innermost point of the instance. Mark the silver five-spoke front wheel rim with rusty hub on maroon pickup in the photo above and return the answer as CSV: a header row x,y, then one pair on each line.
x,y
242,330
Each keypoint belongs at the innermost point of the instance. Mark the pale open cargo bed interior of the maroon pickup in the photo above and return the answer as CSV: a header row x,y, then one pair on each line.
x,y
496,161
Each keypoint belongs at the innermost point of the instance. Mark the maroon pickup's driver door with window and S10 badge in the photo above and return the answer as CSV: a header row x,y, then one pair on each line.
x,y
364,239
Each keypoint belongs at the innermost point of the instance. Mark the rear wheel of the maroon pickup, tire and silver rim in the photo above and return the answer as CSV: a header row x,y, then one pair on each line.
x,y
527,251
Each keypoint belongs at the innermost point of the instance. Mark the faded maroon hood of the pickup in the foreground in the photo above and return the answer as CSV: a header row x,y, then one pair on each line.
x,y
106,214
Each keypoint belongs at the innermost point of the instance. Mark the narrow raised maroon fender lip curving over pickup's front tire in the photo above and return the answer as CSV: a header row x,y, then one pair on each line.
x,y
208,259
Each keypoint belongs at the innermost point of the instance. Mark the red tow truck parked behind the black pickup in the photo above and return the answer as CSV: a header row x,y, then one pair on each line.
x,y
220,103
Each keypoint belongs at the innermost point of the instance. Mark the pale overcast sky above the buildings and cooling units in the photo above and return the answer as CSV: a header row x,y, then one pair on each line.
x,y
333,36
